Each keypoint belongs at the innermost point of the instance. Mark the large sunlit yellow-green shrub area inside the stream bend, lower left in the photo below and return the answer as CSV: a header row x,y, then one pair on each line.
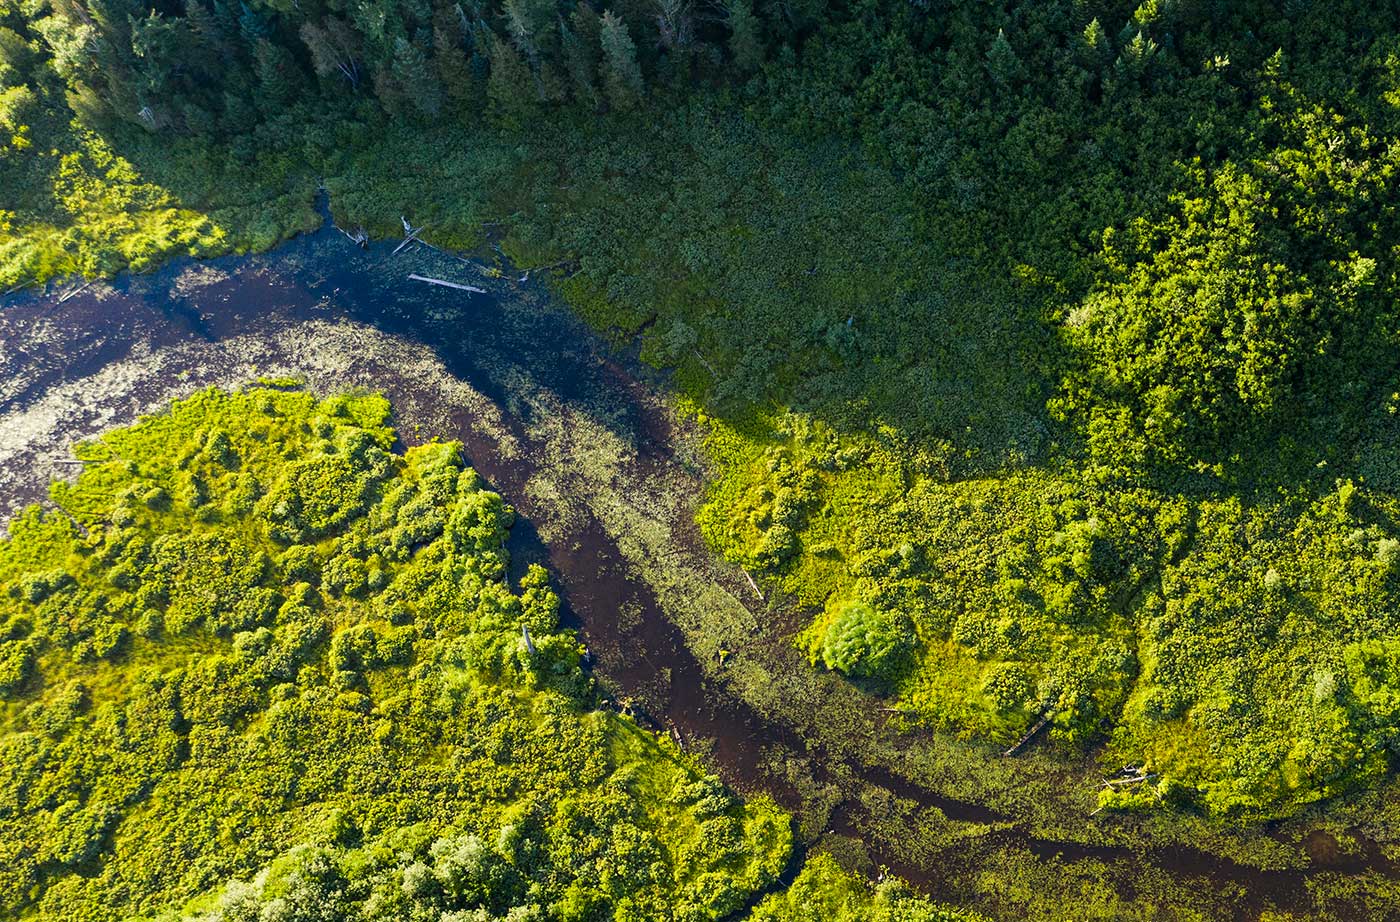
x,y
257,664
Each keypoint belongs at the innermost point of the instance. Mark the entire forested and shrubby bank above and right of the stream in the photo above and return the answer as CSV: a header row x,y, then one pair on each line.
x,y
1049,348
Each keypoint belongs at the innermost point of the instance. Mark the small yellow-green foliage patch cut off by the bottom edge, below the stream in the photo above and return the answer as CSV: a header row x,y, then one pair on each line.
x,y
825,893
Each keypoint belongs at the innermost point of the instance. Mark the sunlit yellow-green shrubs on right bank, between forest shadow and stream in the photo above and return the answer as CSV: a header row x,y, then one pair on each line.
x,y
1238,653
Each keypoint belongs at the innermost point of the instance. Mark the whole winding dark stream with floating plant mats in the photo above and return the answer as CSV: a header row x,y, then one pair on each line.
x,y
605,479
